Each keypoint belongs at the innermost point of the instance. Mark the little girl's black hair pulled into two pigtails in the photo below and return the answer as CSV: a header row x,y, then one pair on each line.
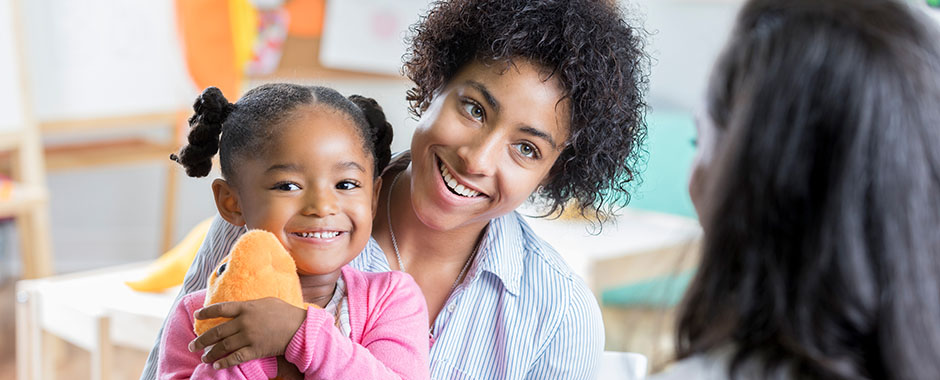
x,y
249,125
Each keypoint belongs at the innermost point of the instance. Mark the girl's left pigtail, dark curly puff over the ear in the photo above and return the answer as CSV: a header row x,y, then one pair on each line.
x,y
211,109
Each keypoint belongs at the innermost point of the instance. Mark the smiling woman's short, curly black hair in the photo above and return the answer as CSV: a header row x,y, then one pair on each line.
x,y
599,60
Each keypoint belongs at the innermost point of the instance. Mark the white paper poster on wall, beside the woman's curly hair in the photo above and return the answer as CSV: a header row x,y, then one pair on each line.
x,y
368,35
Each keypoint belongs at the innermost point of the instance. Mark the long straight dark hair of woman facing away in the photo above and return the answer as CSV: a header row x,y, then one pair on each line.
x,y
821,256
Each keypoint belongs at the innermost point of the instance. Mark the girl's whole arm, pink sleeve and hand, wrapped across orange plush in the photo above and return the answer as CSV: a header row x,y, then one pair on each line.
x,y
394,340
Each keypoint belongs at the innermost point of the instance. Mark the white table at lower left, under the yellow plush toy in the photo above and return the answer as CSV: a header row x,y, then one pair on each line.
x,y
93,310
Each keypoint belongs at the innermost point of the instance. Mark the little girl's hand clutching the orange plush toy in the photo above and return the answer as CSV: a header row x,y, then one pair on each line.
x,y
258,329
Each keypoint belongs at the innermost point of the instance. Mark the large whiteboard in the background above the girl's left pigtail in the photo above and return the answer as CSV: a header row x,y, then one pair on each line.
x,y
97,58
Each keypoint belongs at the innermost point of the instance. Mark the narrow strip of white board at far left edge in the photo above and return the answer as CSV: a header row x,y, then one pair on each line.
x,y
11,117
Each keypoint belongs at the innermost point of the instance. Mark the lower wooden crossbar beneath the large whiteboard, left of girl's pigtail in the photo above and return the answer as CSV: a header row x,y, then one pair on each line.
x,y
116,152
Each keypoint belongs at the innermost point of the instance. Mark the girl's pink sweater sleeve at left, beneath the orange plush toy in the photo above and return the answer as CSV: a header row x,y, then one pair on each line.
x,y
176,362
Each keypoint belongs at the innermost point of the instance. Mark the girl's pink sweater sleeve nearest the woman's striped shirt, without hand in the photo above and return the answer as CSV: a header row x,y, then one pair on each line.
x,y
394,335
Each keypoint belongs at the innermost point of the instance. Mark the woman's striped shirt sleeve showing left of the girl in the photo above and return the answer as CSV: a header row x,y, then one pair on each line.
x,y
219,240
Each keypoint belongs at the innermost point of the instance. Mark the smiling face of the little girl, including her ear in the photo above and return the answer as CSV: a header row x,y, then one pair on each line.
x,y
313,188
